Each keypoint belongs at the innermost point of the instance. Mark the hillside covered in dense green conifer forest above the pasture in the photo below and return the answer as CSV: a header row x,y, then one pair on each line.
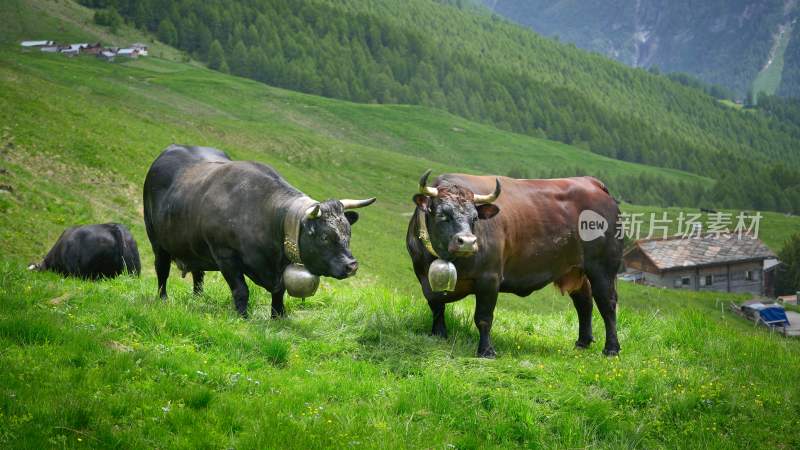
x,y
487,70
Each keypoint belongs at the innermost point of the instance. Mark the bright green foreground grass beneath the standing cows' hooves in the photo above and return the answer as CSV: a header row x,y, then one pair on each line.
x,y
108,365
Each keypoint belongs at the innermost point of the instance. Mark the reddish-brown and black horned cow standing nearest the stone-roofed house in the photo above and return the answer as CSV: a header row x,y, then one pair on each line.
x,y
535,233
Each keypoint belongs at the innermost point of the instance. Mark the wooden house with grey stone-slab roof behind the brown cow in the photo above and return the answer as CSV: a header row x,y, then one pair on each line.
x,y
711,263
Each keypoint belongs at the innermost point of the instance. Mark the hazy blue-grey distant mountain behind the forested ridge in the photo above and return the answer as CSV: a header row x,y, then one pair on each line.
x,y
721,42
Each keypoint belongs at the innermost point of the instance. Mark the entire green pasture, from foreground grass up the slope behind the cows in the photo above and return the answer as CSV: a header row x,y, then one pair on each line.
x,y
107,364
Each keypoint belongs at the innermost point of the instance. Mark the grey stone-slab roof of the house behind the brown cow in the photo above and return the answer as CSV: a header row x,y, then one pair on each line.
x,y
675,253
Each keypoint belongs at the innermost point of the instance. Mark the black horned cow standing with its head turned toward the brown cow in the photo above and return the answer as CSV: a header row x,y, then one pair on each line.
x,y
206,212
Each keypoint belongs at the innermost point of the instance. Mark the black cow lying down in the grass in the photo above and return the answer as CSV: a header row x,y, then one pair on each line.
x,y
93,251
